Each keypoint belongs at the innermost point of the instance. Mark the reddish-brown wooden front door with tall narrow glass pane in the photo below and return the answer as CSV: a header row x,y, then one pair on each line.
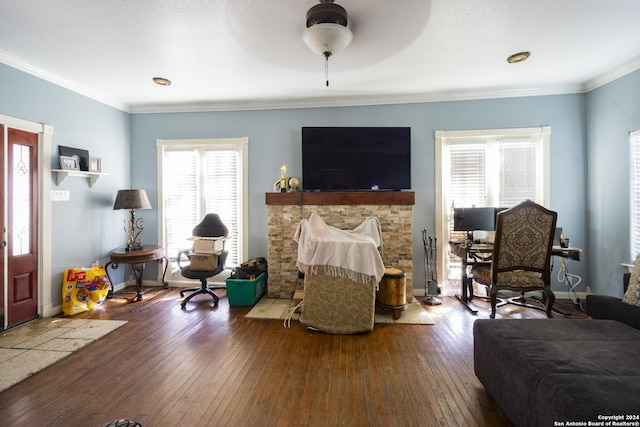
x,y
22,226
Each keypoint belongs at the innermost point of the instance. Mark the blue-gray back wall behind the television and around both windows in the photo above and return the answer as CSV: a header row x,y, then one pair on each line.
x,y
274,139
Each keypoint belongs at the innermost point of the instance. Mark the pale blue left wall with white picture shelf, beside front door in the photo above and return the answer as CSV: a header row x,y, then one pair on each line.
x,y
85,228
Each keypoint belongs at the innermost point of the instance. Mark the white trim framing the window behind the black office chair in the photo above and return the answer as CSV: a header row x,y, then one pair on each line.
x,y
242,145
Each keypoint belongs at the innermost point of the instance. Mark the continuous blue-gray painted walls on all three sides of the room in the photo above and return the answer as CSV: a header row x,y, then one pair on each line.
x,y
589,162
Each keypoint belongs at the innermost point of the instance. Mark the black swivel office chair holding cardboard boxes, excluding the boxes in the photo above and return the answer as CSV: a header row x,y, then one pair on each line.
x,y
211,226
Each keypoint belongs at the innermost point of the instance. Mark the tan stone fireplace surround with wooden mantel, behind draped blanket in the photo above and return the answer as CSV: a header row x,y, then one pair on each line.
x,y
344,210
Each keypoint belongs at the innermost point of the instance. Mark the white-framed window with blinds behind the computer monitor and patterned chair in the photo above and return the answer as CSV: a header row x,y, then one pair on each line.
x,y
485,168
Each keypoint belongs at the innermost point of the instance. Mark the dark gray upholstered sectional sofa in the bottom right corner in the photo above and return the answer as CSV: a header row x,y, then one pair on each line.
x,y
549,372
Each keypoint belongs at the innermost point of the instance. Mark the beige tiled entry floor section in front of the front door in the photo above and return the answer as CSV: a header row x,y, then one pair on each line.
x,y
29,348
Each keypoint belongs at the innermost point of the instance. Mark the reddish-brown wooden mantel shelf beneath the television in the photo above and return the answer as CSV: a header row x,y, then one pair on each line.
x,y
342,198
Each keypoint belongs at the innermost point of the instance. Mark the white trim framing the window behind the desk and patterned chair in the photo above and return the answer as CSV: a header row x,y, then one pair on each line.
x,y
442,210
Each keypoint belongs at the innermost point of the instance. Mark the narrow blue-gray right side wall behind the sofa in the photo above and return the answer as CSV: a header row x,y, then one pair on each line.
x,y
613,111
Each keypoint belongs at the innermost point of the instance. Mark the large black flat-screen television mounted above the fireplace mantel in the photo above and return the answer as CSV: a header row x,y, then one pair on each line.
x,y
356,158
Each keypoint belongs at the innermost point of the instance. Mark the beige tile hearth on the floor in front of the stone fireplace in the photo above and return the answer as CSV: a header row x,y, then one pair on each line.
x,y
278,308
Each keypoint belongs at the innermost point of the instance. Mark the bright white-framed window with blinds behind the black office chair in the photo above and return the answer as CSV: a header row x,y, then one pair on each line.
x,y
199,177
